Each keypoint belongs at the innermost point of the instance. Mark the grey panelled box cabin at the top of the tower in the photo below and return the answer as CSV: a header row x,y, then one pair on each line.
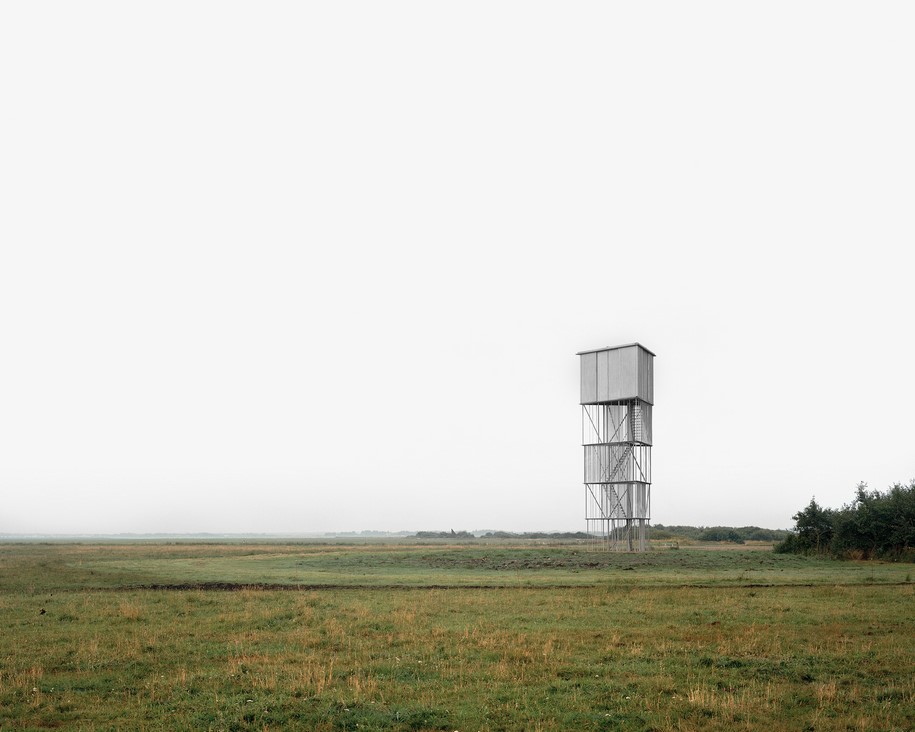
x,y
617,372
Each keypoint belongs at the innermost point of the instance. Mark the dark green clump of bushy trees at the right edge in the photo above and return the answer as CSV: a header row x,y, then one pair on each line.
x,y
874,524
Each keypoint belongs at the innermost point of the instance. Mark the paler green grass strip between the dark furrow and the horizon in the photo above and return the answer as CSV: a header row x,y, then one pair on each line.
x,y
31,567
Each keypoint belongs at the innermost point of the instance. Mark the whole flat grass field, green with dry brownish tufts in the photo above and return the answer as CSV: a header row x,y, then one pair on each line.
x,y
498,636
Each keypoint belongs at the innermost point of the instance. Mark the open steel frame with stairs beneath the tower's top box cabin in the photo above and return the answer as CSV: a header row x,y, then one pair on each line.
x,y
616,437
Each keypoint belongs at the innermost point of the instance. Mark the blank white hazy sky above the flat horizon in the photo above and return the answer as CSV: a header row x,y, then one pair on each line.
x,y
319,266
